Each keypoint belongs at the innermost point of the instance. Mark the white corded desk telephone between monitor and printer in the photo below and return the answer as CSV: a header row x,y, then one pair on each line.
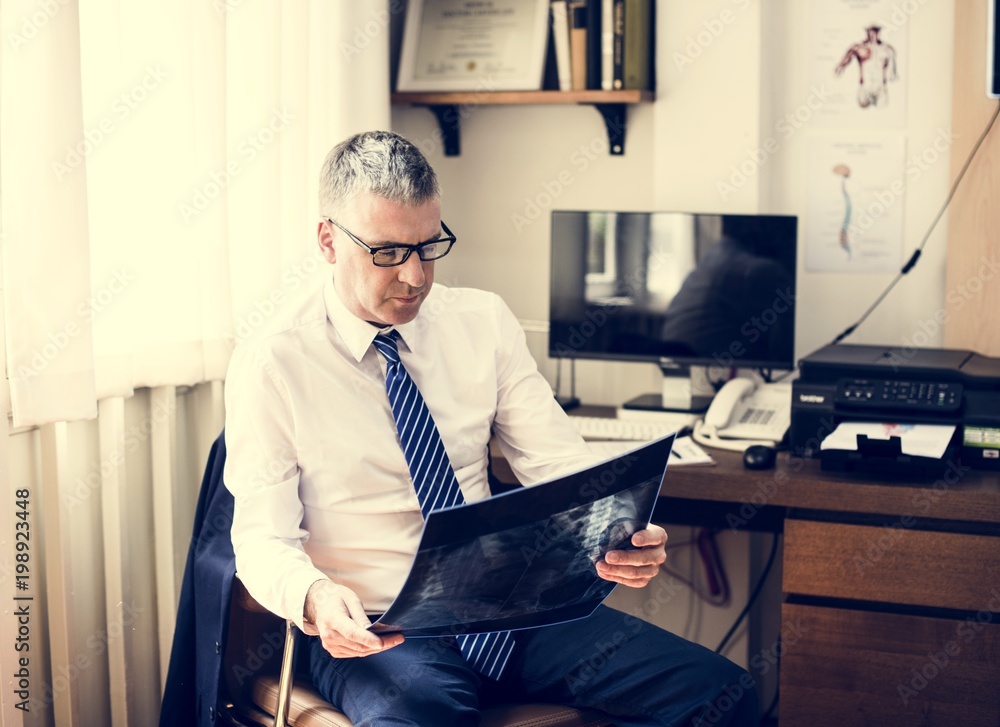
x,y
745,413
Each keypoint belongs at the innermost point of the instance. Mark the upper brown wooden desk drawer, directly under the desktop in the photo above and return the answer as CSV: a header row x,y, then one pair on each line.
x,y
892,565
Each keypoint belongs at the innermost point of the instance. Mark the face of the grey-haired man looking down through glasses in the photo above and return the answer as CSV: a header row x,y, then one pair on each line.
x,y
383,296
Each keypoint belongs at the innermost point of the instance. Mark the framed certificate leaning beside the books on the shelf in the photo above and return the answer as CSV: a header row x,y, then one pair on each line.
x,y
474,45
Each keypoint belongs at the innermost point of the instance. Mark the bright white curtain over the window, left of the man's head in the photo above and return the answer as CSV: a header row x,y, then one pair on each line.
x,y
158,176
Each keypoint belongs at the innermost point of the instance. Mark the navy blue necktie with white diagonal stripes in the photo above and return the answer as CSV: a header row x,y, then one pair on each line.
x,y
436,486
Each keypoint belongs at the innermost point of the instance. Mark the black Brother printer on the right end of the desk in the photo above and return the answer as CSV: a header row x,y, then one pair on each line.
x,y
855,383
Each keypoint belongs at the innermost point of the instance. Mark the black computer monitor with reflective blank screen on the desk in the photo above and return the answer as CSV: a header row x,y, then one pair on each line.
x,y
677,289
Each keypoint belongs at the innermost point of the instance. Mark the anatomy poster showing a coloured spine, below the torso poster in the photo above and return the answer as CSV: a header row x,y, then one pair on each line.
x,y
855,206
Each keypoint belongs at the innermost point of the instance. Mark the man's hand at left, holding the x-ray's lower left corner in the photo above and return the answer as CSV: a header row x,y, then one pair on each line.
x,y
340,618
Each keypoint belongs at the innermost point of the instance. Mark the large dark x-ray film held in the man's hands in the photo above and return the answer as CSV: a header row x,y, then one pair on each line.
x,y
527,557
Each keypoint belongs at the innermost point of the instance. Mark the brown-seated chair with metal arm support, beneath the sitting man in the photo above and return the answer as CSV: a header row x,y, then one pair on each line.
x,y
259,679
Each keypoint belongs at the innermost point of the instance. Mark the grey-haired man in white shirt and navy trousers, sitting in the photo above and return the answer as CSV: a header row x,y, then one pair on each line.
x,y
328,512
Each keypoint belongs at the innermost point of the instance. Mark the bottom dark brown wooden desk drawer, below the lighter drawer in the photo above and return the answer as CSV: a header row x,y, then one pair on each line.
x,y
841,668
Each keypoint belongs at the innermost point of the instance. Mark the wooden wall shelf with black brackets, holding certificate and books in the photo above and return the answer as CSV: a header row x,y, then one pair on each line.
x,y
449,108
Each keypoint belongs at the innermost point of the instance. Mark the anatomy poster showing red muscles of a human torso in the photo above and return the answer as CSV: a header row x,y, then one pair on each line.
x,y
859,57
